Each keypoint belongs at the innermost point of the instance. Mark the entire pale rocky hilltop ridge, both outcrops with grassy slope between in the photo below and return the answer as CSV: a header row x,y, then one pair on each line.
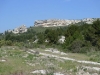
x,y
42,25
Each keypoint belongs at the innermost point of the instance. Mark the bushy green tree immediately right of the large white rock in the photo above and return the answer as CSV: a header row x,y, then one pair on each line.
x,y
72,33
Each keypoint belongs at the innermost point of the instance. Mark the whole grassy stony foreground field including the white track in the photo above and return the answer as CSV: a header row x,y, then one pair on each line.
x,y
47,61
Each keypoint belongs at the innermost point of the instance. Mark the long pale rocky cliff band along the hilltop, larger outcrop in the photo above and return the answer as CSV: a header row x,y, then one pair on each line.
x,y
59,22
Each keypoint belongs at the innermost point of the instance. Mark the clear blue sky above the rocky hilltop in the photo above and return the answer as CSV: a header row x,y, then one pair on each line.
x,y
14,13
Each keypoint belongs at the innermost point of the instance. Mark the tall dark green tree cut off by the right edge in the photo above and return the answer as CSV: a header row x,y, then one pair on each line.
x,y
92,34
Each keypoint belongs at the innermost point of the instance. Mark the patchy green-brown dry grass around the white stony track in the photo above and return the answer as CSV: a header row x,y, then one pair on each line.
x,y
19,62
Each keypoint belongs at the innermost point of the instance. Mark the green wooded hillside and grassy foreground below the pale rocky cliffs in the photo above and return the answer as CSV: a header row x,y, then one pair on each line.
x,y
38,51
